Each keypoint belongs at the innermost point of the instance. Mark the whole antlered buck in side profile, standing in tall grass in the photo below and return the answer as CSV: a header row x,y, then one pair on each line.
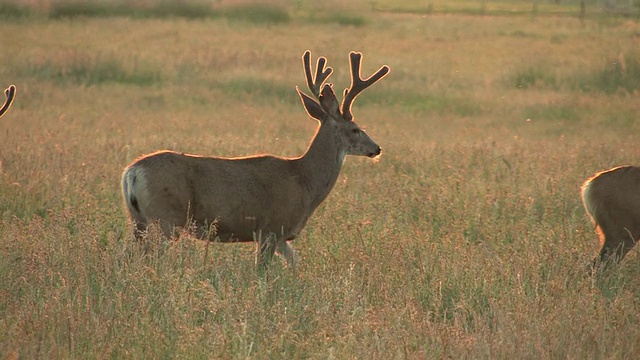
x,y
261,198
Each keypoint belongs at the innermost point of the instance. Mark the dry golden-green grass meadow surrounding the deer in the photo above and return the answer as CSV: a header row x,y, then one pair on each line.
x,y
466,240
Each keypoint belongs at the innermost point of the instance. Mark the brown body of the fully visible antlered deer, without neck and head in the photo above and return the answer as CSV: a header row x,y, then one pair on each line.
x,y
241,195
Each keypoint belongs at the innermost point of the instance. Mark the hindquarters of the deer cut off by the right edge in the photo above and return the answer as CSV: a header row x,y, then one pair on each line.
x,y
612,200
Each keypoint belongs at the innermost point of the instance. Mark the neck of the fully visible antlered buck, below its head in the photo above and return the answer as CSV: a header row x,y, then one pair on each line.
x,y
321,164
